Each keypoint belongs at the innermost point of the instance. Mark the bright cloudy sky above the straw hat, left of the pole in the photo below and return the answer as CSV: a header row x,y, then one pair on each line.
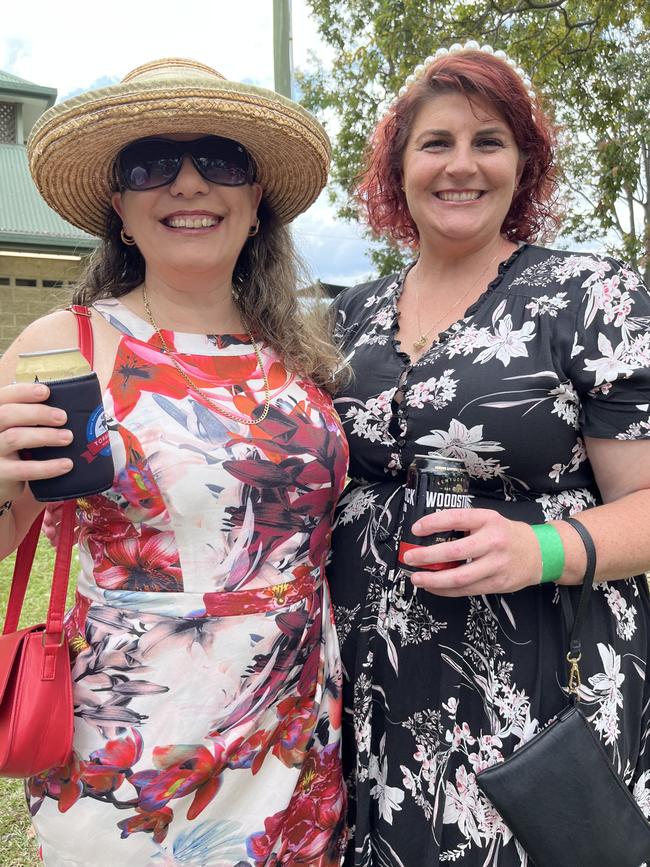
x,y
70,46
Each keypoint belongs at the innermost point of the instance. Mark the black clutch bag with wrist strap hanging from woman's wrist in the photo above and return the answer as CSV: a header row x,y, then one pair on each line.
x,y
559,793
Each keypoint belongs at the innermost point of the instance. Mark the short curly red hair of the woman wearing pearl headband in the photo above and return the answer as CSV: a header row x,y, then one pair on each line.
x,y
475,74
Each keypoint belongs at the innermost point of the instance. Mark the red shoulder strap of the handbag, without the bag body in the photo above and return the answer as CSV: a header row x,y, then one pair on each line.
x,y
27,548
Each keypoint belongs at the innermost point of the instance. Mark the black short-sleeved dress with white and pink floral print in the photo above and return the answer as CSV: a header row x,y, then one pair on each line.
x,y
436,689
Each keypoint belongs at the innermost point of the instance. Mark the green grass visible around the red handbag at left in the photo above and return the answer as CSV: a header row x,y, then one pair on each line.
x,y
17,842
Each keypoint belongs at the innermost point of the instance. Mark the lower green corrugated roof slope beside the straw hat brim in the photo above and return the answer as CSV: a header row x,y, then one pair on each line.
x,y
25,219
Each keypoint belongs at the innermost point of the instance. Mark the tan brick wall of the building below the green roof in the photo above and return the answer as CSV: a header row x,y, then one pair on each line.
x,y
31,287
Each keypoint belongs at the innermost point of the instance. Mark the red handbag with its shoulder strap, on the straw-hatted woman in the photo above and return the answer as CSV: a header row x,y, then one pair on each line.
x,y
36,708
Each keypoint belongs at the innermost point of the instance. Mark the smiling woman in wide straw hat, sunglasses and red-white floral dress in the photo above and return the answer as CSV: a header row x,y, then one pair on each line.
x,y
206,675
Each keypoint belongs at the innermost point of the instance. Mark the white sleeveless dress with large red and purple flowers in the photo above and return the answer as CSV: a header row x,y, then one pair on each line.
x,y
207,671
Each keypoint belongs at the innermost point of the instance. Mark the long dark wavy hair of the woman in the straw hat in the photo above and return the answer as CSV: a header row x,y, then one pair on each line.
x,y
265,279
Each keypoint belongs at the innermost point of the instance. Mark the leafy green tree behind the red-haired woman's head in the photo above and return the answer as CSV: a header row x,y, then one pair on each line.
x,y
590,58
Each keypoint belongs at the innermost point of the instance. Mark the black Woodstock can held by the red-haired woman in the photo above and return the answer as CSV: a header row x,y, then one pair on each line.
x,y
433,483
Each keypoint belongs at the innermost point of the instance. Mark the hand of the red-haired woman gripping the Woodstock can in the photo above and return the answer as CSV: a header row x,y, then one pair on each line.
x,y
503,555
